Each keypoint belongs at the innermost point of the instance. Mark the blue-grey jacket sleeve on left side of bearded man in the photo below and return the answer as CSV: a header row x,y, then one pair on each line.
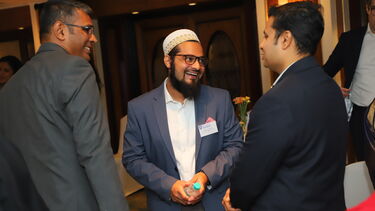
x,y
137,163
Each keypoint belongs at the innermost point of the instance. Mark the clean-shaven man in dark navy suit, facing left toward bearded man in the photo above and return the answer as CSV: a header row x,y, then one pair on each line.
x,y
294,155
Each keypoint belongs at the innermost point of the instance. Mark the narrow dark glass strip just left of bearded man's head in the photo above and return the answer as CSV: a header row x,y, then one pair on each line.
x,y
159,71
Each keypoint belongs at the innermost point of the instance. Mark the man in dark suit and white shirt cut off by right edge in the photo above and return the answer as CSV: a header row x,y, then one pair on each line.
x,y
355,53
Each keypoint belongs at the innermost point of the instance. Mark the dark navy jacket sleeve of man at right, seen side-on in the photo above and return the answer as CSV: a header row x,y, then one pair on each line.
x,y
268,141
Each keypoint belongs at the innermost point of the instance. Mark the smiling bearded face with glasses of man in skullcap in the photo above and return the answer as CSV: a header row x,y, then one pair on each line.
x,y
184,77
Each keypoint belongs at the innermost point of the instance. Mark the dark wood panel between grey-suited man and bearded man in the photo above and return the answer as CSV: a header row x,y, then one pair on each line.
x,y
120,70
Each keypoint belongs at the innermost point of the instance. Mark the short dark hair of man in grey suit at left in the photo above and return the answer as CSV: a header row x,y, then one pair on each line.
x,y
63,10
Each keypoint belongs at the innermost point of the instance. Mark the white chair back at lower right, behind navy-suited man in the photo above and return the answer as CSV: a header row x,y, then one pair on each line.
x,y
357,184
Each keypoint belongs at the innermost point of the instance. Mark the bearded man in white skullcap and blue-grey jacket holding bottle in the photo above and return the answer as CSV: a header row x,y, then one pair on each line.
x,y
182,133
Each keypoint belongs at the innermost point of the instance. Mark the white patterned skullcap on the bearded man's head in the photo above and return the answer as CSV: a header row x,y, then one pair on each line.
x,y
177,37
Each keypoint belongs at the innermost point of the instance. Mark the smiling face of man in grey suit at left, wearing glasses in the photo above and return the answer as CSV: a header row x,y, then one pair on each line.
x,y
79,42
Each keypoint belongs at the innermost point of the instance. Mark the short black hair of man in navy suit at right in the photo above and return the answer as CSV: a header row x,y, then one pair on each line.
x,y
303,20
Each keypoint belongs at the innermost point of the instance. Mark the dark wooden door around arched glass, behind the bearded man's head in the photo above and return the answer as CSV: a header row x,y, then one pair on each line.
x,y
234,21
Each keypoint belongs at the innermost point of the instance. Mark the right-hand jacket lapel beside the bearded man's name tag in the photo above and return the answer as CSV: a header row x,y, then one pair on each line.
x,y
200,118
